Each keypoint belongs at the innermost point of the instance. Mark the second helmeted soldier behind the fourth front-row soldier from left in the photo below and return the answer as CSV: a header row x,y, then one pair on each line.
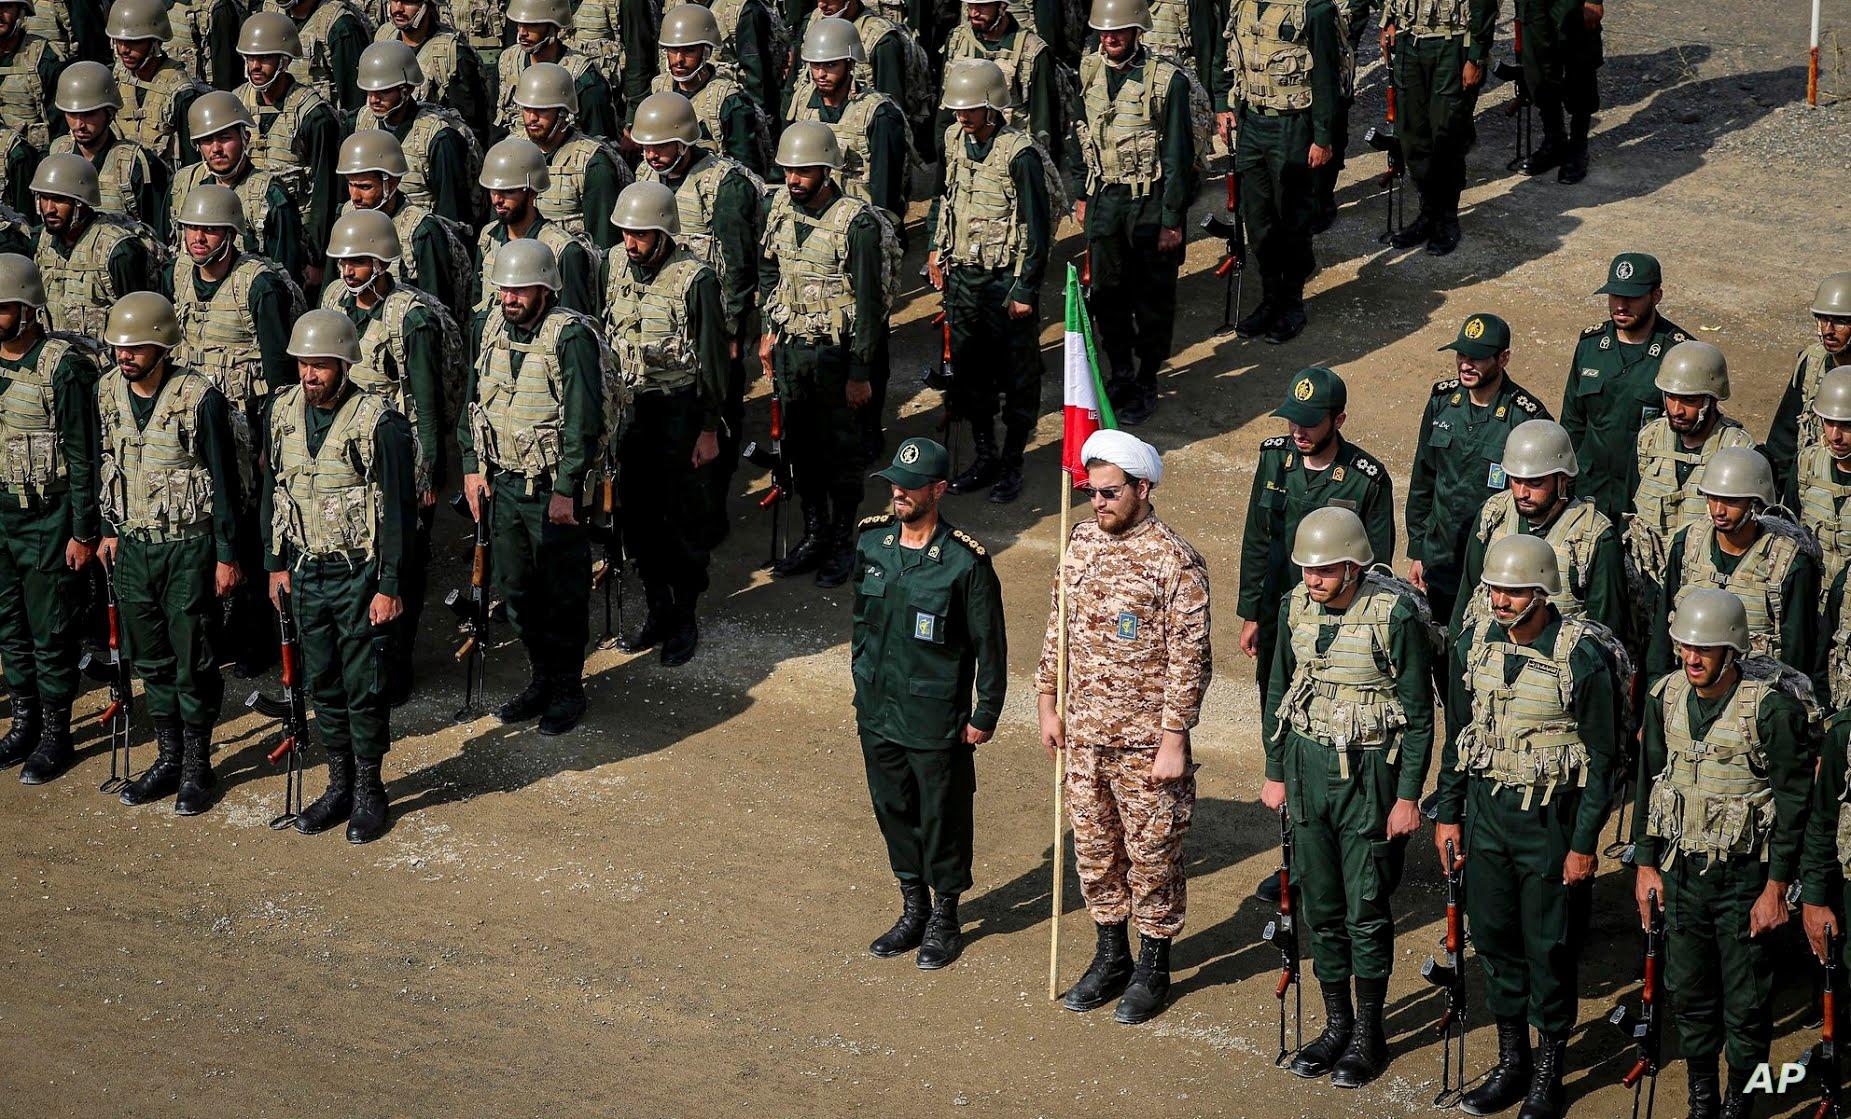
x,y
584,173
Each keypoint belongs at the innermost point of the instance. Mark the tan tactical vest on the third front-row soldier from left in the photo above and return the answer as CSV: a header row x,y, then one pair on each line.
x,y
327,504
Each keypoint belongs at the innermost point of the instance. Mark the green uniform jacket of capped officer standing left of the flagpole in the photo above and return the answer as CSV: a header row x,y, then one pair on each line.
x,y
928,628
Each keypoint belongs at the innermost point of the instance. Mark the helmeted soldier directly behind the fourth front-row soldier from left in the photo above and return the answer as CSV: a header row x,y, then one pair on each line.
x,y
516,177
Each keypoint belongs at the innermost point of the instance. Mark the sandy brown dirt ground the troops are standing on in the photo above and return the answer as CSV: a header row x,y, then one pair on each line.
x,y
667,913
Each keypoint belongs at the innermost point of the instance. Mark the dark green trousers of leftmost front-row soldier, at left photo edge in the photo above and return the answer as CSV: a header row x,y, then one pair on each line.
x,y
40,600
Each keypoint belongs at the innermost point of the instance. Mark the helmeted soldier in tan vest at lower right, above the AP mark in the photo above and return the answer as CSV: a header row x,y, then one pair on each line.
x,y
1721,817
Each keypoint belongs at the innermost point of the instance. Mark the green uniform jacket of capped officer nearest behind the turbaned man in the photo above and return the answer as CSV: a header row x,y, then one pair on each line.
x,y
1284,493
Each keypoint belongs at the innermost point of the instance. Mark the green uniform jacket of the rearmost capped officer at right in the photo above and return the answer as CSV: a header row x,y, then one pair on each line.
x,y
1609,397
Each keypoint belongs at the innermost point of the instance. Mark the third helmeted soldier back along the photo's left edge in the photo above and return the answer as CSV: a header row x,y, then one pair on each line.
x,y
130,180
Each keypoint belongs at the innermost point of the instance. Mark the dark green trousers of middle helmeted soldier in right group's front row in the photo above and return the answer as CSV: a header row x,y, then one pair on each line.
x,y
1526,926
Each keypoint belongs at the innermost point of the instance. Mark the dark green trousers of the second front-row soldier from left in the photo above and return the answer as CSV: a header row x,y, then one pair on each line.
x,y
166,593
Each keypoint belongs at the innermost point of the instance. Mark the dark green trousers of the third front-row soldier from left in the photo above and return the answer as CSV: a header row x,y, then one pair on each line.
x,y
345,654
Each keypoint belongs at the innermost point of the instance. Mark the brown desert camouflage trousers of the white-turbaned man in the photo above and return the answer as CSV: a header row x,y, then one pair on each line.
x,y
1128,837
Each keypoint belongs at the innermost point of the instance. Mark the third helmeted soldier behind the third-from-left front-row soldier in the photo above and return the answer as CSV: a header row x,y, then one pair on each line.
x,y
436,141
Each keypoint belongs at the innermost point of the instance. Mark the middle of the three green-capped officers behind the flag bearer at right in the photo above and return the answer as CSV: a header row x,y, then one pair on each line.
x,y
1460,456
